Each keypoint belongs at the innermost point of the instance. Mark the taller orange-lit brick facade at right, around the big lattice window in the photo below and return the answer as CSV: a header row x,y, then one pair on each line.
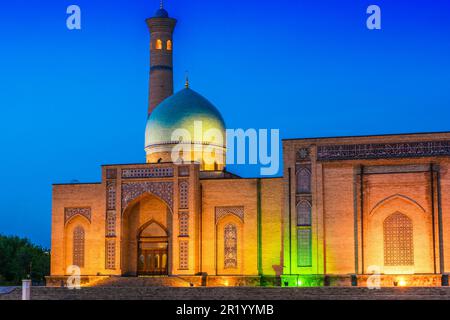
x,y
353,196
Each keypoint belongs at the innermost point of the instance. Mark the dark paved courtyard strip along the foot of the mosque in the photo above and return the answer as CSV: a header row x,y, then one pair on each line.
x,y
160,293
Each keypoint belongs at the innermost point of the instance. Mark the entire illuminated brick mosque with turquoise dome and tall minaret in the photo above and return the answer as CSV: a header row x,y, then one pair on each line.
x,y
345,207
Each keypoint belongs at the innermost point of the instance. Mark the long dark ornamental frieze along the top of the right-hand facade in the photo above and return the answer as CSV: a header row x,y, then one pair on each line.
x,y
384,151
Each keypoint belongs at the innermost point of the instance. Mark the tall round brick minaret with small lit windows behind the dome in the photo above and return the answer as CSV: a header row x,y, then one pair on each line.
x,y
161,28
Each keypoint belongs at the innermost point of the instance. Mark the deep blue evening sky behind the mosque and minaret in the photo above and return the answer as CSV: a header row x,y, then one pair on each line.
x,y
74,100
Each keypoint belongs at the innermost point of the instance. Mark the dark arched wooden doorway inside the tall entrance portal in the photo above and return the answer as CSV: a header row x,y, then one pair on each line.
x,y
153,250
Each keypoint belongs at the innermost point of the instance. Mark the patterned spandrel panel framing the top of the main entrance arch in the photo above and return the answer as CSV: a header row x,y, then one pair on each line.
x,y
133,190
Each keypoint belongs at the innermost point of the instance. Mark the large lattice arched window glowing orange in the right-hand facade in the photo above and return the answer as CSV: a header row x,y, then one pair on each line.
x,y
398,240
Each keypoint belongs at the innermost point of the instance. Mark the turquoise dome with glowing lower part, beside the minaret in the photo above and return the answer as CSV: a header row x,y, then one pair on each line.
x,y
180,111
